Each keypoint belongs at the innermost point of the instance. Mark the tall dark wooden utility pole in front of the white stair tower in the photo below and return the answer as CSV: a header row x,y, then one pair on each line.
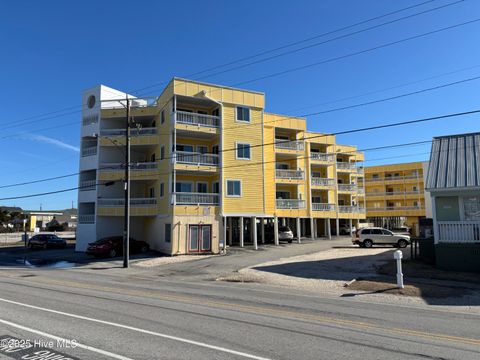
x,y
126,225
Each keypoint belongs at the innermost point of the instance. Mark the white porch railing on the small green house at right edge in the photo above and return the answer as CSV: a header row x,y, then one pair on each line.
x,y
458,231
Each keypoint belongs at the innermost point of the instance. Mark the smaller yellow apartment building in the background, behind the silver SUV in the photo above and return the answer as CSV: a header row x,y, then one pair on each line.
x,y
395,195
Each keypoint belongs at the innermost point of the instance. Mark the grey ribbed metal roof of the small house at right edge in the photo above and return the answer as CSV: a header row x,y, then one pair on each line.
x,y
454,162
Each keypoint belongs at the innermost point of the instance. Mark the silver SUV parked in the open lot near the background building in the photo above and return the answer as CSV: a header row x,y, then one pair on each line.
x,y
367,237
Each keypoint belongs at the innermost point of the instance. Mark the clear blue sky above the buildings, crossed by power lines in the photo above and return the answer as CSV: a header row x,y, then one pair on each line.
x,y
52,50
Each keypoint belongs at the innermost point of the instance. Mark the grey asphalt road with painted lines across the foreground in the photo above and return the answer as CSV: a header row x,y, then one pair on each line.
x,y
99,313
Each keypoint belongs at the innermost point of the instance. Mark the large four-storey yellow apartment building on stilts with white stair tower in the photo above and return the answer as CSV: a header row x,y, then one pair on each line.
x,y
210,168
